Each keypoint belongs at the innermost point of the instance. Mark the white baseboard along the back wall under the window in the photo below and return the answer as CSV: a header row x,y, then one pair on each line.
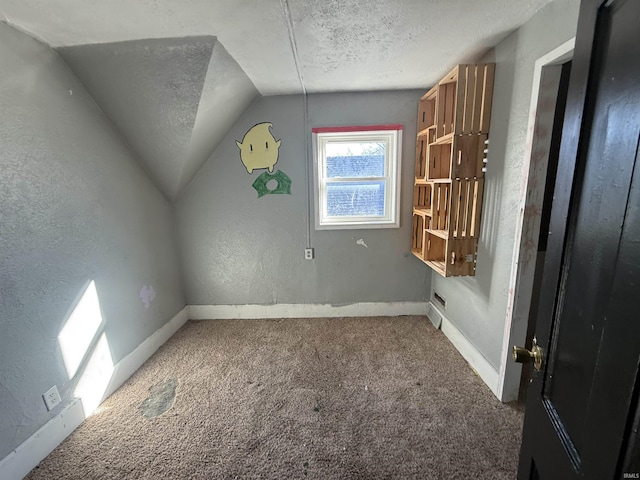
x,y
292,310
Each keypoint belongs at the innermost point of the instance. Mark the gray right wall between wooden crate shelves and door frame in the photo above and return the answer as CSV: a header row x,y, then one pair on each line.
x,y
478,305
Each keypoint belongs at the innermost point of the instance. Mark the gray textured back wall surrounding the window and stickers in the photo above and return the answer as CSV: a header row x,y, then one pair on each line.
x,y
240,249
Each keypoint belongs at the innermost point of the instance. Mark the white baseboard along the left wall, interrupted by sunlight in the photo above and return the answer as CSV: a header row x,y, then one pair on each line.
x,y
35,448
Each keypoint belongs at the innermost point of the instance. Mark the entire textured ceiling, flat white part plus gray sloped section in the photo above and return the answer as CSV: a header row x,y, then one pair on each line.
x,y
159,70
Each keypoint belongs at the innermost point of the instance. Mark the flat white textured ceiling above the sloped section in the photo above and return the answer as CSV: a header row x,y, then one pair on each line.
x,y
342,45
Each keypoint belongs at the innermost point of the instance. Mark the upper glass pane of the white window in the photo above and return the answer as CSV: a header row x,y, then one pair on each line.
x,y
355,159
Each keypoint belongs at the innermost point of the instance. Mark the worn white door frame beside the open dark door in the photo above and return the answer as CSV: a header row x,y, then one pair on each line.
x,y
526,240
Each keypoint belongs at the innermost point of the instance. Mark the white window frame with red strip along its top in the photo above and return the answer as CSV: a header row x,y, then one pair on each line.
x,y
392,136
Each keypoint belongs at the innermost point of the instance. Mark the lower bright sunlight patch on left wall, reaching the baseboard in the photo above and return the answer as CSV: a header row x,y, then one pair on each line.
x,y
96,377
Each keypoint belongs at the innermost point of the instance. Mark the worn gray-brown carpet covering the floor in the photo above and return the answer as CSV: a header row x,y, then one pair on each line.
x,y
340,398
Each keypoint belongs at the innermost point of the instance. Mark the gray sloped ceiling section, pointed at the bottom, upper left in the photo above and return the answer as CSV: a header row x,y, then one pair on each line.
x,y
172,100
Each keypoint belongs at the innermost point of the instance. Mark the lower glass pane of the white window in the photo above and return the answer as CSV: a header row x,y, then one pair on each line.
x,y
355,199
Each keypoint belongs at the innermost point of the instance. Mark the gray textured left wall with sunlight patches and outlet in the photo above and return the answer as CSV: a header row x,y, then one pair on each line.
x,y
75,207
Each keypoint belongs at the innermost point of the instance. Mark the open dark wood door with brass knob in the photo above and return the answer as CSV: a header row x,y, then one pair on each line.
x,y
581,406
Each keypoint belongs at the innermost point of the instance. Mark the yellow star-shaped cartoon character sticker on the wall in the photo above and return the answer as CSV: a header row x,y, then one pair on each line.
x,y
259,148
